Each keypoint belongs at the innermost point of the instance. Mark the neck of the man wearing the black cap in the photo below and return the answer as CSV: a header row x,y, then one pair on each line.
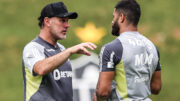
x,y
46,35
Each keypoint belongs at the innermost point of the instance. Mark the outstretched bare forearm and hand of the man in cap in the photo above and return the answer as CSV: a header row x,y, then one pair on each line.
x,y
47,65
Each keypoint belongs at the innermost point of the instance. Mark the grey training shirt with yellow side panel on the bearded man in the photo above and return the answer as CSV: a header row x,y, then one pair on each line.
x,y
135,59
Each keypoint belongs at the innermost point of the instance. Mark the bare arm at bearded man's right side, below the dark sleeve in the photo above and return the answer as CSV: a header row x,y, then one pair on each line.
x,y
156,82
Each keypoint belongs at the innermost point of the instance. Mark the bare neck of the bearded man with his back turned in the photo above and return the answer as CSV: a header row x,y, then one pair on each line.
x,y
127,28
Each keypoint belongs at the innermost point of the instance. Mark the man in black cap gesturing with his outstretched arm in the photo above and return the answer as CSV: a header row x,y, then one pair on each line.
x,y
47,71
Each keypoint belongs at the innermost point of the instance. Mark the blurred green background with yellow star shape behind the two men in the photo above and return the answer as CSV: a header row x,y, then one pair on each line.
x,y
160,22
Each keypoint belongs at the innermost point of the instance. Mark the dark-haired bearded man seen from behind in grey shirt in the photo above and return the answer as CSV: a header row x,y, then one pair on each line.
x,y
131,60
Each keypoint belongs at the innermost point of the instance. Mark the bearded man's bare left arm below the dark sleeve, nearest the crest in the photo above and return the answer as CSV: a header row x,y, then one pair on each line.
x,y
104,85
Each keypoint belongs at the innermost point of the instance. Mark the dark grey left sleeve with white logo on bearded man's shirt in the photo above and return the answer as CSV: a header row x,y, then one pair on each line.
x,y
110,55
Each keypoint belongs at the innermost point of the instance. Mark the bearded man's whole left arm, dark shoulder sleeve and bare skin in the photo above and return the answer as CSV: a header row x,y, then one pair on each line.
x,y
110,56
